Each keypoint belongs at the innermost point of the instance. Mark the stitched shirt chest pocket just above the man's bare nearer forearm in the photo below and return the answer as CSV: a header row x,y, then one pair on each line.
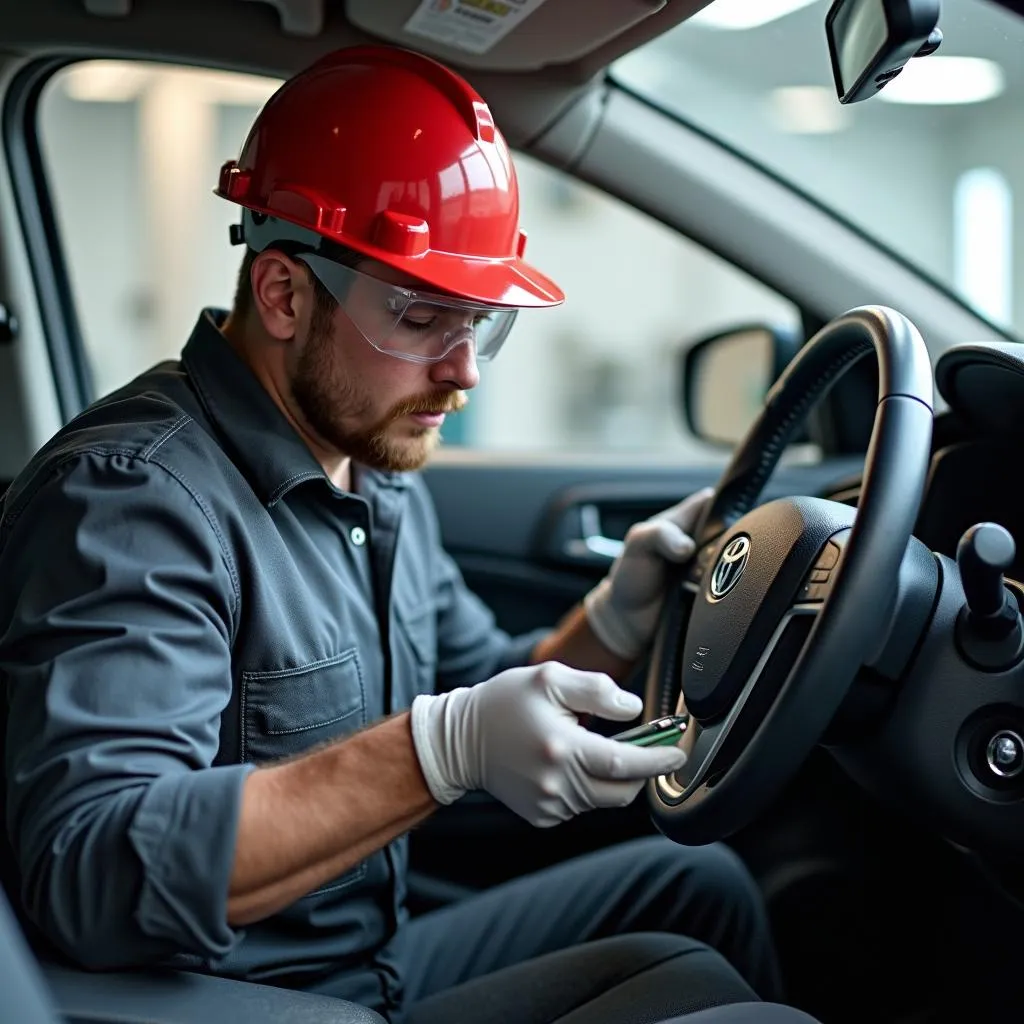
x,y
287,711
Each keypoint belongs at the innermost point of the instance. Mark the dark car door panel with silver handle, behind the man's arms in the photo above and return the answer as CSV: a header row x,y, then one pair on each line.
x,y
516,532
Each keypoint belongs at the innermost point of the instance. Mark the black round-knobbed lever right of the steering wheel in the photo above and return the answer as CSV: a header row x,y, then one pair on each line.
x,y
990,632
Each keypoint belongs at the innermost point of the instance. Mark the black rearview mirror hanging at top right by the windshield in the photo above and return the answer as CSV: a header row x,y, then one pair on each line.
x,y
870,41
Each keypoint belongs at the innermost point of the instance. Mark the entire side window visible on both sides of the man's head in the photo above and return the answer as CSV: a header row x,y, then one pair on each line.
x,y
133,152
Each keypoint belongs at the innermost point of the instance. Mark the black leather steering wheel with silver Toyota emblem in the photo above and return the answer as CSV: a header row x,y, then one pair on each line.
x,y
784,604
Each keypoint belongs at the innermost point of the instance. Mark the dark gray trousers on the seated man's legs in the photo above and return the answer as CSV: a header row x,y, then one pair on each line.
x,y
639,933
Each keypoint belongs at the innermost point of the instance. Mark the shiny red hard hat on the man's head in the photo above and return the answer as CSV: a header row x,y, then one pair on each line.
x,y
394,155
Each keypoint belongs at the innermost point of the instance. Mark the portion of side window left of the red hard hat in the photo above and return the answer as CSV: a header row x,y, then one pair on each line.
x,y
133,152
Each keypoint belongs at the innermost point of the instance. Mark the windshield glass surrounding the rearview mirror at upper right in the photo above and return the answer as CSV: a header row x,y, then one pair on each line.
x,y
932,167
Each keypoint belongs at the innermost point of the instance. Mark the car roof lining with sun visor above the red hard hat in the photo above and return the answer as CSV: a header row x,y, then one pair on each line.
x,y
530,78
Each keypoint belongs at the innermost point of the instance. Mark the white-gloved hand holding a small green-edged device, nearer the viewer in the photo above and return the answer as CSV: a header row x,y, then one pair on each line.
x,y
518,737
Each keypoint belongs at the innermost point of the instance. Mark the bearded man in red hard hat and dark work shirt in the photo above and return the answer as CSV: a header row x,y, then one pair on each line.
x,y
241,667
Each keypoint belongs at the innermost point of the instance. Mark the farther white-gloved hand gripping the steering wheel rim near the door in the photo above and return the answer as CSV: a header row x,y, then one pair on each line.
x,y
624,608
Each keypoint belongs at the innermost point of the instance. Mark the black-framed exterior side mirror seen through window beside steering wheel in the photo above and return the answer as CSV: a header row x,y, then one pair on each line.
x,y
727,377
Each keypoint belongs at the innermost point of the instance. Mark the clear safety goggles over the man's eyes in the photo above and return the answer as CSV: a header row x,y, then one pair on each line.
x,y
420,327
